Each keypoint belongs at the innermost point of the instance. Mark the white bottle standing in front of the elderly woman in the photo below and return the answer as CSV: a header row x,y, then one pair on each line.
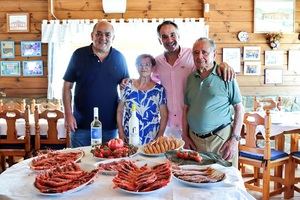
x,y
133,126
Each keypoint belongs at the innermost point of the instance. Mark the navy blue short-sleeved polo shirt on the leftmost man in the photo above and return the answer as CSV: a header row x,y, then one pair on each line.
x,y
96,85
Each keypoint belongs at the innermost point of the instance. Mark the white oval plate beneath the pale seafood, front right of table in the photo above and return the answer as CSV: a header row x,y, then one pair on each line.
x,y
219,183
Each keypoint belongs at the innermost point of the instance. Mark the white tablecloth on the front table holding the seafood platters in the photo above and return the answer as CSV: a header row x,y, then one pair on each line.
x,y
17,183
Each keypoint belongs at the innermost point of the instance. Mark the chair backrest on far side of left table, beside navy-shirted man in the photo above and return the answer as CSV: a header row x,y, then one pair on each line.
x,y
48,104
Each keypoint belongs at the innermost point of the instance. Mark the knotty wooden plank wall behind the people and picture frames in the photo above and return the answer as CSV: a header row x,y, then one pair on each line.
x,y
226,18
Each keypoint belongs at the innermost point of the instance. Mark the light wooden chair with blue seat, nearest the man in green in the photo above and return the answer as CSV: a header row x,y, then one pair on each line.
x,y
261,158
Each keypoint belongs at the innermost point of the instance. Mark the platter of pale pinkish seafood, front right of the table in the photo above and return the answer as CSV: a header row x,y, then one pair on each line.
x,y
199,176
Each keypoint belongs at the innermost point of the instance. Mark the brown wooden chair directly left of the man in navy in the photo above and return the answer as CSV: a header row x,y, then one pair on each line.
x,y
52,139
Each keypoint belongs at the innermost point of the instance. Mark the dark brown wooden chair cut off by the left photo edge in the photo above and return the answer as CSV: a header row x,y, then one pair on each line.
x,y
12,145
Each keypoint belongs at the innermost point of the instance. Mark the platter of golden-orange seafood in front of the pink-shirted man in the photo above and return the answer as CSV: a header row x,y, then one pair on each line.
x,y
161,145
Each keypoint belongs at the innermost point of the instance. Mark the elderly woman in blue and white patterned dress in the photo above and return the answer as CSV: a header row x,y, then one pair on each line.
x,y
150,100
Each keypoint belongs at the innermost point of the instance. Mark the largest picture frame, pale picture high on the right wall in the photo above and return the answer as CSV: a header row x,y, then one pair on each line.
x,y
274,16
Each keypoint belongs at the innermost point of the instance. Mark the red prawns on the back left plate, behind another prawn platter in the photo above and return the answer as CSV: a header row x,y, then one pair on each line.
x,y
54,159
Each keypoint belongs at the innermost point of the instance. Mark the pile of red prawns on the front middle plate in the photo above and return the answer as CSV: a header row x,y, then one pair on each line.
x,y
142,179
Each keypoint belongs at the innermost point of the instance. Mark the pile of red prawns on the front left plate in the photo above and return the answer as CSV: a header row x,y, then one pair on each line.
x,y
60,180
